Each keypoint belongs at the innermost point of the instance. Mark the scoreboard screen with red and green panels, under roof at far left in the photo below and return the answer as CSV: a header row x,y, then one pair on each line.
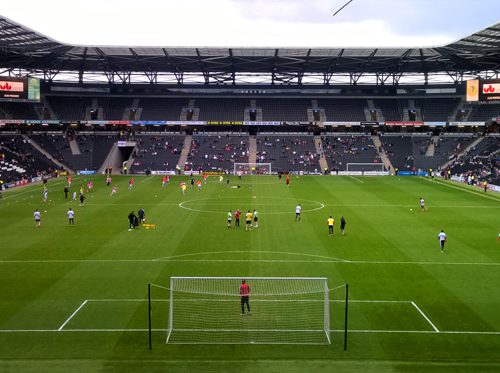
x,y
19,89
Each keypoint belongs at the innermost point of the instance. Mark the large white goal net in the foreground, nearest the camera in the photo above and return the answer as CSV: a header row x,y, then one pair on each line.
x,y
208,310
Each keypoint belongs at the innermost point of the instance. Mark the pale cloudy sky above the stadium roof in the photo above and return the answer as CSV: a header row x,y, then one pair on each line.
x,y
255,23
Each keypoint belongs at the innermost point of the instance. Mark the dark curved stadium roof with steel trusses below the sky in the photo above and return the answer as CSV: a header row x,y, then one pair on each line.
x,y
24,49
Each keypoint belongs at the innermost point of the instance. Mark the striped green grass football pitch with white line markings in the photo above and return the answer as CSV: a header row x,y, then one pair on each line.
x,y
75,298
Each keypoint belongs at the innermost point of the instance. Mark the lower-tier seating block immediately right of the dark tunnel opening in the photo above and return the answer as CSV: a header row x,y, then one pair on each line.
x,y
157,152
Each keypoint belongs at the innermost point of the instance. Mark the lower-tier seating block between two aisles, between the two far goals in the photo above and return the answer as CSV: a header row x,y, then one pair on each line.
x,y
288,152
